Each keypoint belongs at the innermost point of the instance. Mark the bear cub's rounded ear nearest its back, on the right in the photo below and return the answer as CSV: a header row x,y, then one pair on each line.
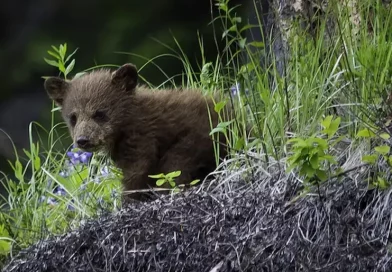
x,y
126,77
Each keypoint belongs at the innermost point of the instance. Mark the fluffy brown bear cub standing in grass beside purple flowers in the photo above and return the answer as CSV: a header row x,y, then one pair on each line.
x,y
145,132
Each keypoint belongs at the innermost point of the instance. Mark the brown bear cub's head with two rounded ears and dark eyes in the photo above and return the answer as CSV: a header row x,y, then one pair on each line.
x,y
93,105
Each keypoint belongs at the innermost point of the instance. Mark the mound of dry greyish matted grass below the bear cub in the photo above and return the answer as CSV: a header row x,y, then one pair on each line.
x,y
232,224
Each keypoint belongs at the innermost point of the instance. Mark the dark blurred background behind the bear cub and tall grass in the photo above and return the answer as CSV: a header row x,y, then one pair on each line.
x,y
100,30
